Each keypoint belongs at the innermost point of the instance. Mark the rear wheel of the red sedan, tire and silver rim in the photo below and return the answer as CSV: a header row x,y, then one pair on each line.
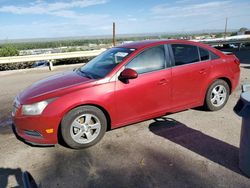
x,y
217,95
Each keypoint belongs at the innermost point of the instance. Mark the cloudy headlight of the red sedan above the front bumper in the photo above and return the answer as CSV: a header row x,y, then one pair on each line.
x,y
35,108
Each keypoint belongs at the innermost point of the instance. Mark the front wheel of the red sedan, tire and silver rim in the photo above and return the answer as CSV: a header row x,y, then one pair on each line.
x,y
83,127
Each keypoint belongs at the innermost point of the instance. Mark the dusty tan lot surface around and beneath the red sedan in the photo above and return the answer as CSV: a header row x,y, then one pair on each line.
x,y
188,149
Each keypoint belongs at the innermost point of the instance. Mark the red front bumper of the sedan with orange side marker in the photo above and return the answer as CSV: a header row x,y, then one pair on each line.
x,y
37,129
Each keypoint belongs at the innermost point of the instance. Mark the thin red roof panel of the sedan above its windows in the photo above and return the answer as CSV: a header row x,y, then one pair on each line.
x,y
149,43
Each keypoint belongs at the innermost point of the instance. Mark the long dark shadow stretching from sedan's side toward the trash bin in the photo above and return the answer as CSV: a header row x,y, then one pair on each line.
x,y
211,148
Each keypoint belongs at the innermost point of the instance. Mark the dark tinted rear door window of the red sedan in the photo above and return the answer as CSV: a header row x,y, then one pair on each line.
x,y
185,54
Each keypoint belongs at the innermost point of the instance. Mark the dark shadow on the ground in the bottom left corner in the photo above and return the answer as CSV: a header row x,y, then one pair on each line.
x,y
6,172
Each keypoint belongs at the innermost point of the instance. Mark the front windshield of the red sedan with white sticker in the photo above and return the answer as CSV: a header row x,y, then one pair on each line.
x,y
101,65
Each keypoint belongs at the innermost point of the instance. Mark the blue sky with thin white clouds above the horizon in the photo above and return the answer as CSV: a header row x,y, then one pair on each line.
x,y
69,18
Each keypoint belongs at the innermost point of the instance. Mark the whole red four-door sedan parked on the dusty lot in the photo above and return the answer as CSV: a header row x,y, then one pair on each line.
x,y
124,85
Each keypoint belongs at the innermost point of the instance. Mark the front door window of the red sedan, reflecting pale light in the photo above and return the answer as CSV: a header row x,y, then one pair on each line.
x,y
150,60
